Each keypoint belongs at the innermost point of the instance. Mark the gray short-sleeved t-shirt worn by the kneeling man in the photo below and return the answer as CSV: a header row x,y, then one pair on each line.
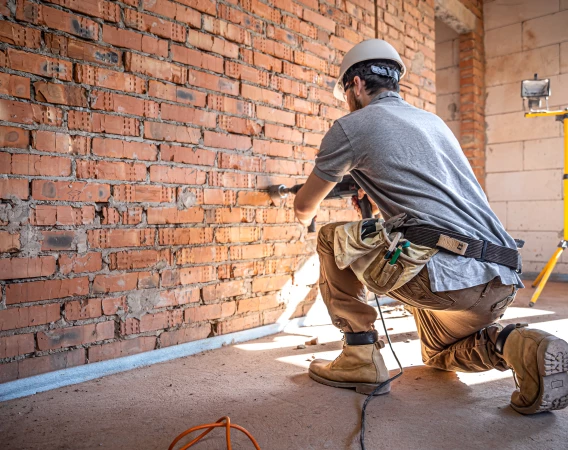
x,y
409,161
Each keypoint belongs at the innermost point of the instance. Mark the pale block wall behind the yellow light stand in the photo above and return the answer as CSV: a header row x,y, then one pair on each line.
x,y
525,156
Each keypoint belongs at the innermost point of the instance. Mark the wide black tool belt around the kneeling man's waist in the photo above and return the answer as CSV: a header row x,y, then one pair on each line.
x,y
483,251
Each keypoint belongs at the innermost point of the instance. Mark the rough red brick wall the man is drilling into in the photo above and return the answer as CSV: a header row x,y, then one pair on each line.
x,y
138,139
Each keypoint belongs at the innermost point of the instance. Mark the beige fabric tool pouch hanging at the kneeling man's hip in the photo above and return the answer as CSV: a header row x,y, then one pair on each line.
x,y
363,246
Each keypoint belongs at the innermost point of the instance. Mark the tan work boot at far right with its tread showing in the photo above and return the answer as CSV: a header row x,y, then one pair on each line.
x,y
540,363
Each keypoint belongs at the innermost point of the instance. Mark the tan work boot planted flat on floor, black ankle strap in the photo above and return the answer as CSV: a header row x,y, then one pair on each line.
x,y
358,366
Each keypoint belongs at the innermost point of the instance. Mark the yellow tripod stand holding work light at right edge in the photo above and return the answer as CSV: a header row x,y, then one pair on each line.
x,y
540,282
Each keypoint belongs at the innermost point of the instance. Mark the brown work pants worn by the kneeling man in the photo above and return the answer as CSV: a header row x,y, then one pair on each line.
x,y
456,328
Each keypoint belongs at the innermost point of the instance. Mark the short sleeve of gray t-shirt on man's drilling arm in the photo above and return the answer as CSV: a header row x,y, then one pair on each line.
x,y
335,157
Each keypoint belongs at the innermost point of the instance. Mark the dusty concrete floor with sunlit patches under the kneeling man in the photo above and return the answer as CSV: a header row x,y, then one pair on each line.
x,y
263,385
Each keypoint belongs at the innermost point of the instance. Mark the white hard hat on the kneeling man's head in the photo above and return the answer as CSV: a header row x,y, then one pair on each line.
x,y
365,51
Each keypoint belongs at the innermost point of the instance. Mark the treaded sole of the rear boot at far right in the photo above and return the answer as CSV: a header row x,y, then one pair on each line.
x,y
552,358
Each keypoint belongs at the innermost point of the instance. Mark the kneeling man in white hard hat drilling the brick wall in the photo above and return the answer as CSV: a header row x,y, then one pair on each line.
x,y
408,161
